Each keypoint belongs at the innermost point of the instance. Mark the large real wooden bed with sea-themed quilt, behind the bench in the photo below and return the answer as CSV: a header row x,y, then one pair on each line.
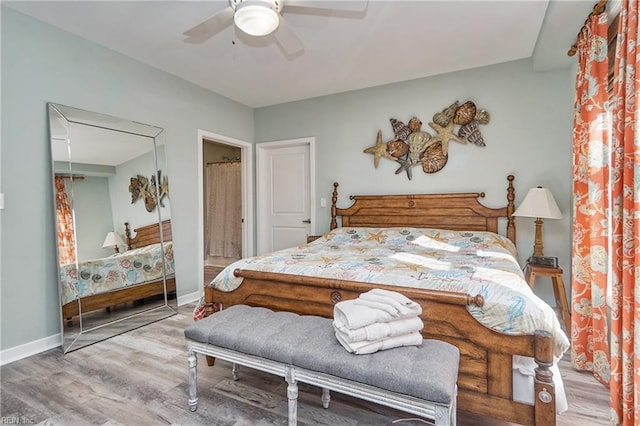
x,y
488,355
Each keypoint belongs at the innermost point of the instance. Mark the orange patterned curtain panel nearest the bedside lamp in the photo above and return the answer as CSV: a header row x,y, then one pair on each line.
x,y
589,331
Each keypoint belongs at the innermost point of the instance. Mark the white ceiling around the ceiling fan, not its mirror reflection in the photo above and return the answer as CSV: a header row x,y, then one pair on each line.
x,y
389,41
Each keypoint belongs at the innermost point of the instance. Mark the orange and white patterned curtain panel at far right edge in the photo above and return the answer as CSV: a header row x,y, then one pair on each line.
x,y
625,189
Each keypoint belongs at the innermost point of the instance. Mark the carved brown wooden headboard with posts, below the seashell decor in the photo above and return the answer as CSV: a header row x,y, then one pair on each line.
x,y
455,211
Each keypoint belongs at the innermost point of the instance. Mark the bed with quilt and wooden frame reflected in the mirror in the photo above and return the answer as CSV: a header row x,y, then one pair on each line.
x,y
124,277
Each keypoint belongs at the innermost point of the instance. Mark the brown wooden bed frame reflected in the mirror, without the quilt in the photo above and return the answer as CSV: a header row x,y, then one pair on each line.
x,y
144,236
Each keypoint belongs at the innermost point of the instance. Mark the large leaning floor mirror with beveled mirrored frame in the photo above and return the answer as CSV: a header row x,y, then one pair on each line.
x,y
113,223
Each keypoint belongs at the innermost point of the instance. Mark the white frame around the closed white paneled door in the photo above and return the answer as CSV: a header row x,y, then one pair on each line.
x,y
261,148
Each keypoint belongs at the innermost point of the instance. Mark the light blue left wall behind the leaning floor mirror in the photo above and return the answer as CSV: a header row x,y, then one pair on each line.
x,y
42,64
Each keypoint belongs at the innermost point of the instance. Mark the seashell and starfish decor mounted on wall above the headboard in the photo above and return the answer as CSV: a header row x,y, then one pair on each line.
x,y
410,146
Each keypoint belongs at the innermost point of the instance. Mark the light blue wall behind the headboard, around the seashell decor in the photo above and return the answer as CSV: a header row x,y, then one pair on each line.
x,y
529,135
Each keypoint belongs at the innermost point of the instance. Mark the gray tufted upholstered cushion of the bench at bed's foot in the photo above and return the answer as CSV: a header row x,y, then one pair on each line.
x,y
428,371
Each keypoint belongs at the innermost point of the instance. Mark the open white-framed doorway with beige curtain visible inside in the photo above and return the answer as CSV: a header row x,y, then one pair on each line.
x,y
225,208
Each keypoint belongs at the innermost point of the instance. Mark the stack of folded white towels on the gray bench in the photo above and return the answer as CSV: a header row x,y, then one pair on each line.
x,y
378,319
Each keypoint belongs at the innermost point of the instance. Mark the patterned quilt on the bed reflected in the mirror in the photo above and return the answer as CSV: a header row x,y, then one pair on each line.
x,y
114,272
